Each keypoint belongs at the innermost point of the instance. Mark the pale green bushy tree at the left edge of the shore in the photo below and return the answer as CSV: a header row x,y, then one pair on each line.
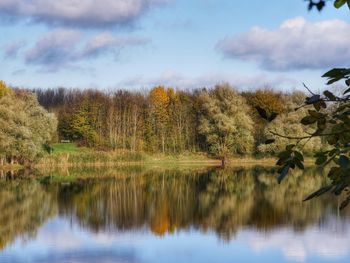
x,y
24,127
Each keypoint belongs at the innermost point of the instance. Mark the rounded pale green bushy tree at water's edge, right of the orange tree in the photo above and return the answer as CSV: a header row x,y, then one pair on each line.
x,y
225,123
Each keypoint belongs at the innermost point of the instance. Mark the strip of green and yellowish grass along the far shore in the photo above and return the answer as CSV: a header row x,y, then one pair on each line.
x,y
68,155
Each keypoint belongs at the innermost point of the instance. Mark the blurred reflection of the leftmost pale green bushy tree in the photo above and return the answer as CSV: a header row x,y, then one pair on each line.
x,y
24,206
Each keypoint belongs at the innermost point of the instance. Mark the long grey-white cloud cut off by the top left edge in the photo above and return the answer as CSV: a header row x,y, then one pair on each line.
x,y
86,13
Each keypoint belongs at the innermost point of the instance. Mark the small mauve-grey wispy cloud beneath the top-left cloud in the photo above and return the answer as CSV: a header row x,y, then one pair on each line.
x,y
61,48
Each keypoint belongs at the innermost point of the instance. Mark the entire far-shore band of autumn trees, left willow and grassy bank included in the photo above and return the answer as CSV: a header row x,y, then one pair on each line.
x,y
129,125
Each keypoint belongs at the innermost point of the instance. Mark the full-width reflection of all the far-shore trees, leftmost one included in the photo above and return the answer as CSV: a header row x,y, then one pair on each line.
x,y
219,200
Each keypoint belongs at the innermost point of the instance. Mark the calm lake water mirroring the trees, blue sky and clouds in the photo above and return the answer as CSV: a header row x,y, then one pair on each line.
x,y
232,215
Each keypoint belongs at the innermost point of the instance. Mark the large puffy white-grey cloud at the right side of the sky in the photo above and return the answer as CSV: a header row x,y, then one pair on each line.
x,y
296,44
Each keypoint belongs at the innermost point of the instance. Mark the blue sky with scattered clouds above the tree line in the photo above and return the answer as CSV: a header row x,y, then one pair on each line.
x,y
137,44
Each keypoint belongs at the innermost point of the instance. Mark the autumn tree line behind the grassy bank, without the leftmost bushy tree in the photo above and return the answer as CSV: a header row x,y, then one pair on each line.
x,y
220,121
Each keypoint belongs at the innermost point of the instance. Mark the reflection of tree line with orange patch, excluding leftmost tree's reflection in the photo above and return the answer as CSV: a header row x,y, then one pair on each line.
x,y
224,201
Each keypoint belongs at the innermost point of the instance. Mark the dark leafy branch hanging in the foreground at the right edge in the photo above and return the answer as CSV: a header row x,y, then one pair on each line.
x,y
331,122
